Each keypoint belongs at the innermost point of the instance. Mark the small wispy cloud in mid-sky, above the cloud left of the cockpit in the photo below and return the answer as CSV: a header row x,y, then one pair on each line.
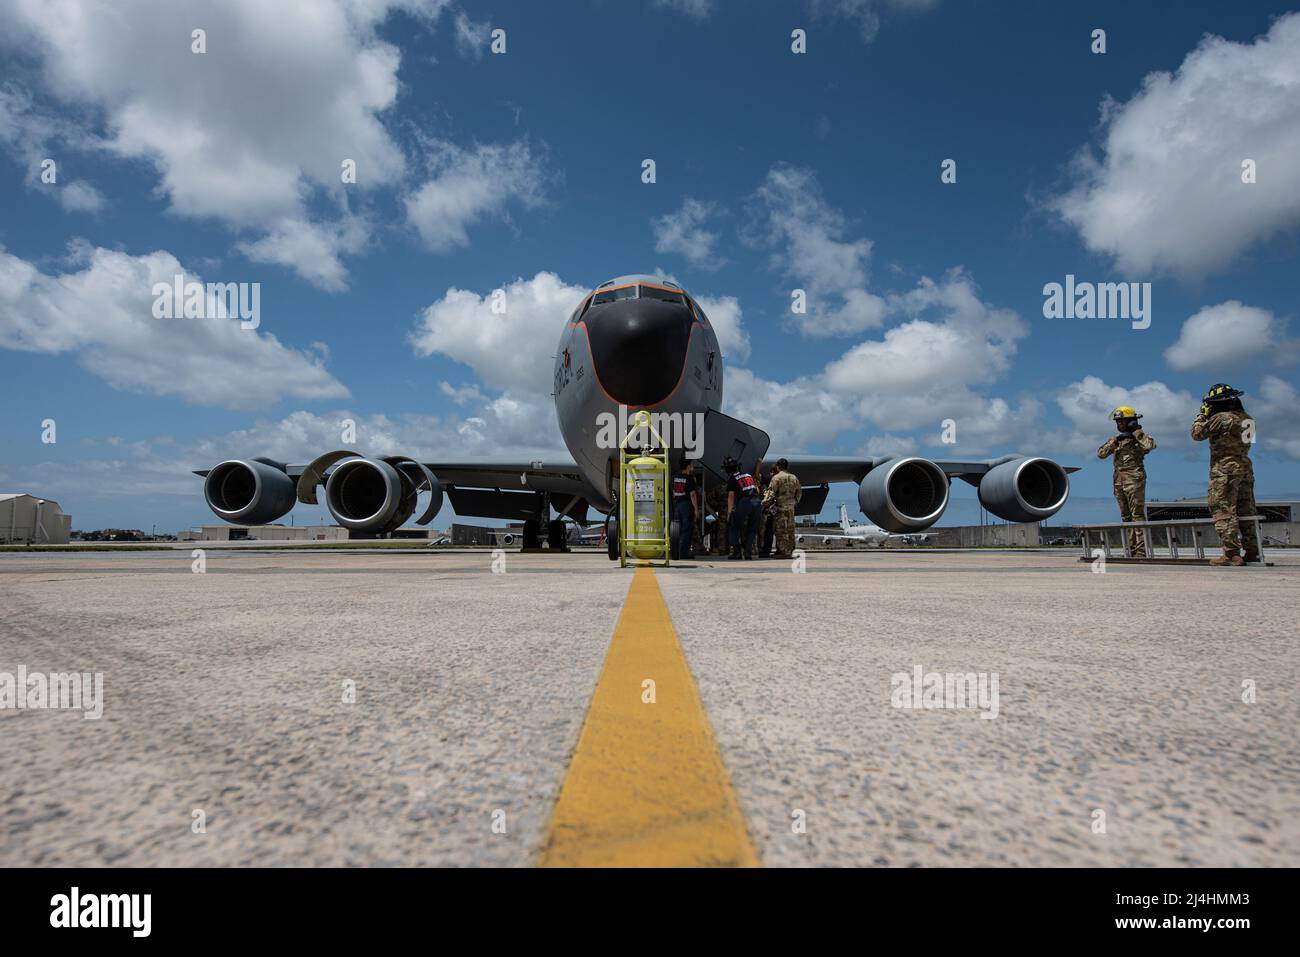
x,y
470,185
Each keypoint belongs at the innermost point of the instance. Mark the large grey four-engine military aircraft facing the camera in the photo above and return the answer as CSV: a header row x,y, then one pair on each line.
x,y
636,343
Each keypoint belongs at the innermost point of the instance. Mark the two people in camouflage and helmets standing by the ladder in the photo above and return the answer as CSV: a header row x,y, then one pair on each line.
x,y
1225,425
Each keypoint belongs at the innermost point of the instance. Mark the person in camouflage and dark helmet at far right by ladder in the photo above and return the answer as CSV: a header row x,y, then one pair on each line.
x,y
1230,432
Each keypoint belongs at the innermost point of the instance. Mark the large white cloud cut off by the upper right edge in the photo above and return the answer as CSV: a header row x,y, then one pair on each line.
x,y
1167,193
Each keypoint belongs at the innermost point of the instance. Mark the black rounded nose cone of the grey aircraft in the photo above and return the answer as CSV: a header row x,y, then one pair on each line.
x,y
639,348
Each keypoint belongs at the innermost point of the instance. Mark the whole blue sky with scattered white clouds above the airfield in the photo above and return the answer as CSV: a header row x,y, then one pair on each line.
x,y
522,171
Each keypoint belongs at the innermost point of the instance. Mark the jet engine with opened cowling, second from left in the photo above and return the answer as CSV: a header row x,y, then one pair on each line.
x,y
378,496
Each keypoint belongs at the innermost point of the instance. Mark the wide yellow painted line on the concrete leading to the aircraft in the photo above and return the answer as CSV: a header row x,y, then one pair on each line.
x,y
647,787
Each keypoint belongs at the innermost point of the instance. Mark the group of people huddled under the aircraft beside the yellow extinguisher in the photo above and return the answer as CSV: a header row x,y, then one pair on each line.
x,y
749,517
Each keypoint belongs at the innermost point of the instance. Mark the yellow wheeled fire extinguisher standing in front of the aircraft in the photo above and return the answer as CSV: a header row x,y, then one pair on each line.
x,y
644,516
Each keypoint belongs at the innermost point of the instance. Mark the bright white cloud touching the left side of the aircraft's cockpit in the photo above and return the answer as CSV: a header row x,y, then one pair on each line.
x,y
508,352
